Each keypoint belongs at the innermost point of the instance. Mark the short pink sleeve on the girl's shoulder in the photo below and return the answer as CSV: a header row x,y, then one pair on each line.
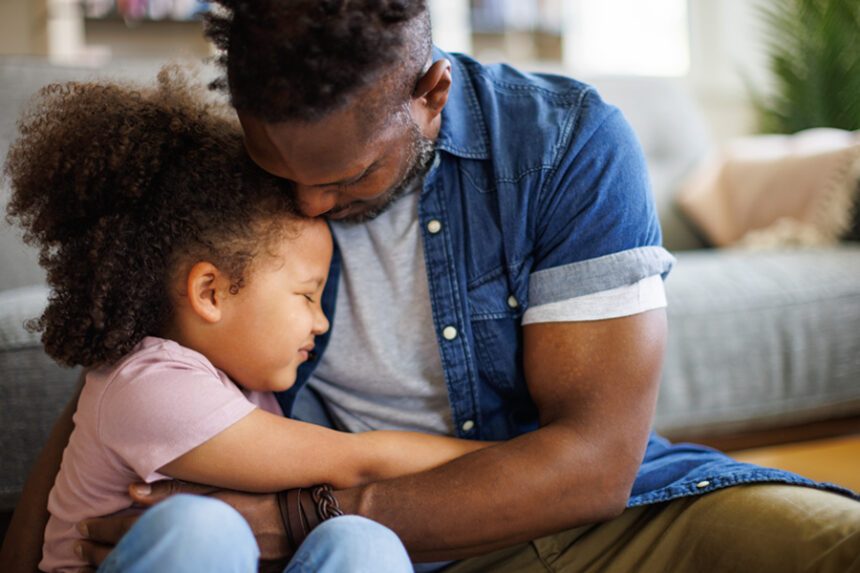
x,y
159,407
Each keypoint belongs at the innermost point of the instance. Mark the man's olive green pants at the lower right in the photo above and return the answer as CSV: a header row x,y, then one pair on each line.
x,y
749,528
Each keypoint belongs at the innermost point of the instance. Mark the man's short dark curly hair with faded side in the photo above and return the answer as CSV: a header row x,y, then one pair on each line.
x,y
301,59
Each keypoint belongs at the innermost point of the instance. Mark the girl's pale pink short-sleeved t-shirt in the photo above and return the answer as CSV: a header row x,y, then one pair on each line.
x,y
157,403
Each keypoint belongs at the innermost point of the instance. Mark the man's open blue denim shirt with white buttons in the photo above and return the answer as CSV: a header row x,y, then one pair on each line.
x,y
539,193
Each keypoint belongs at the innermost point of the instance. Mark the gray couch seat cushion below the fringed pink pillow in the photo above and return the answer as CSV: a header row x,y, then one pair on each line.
x,y
761,338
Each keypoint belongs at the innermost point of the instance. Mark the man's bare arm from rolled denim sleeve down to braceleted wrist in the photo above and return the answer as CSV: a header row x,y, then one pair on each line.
x,y
595,386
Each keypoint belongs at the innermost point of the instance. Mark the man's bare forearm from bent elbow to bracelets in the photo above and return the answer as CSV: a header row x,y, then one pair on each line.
x,y
536,484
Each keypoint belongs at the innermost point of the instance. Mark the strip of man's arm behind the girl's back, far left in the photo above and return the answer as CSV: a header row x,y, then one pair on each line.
x,y
22,548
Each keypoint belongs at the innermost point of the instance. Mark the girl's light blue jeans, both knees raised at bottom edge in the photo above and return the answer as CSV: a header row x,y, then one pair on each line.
x,y
186,534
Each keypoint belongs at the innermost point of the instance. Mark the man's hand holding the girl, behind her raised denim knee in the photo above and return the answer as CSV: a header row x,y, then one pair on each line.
x,y
259,510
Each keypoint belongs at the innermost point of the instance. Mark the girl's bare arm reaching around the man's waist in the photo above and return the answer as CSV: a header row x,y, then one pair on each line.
x,y
263,453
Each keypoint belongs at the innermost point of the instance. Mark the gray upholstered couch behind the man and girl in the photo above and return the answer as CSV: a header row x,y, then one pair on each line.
x,y
757,340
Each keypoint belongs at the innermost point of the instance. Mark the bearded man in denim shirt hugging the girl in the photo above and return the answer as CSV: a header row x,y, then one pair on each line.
x,y
499,277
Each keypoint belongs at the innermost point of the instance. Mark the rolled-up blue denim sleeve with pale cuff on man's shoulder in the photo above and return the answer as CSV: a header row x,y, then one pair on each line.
x,y
596,226
